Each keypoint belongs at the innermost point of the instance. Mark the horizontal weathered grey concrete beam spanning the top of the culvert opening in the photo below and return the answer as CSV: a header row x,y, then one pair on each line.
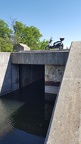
x,y
40,57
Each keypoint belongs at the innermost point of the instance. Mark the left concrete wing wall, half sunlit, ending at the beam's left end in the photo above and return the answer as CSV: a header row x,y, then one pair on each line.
x,y
5,73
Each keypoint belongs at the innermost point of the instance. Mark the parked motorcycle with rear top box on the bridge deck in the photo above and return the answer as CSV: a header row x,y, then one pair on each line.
x,y
57,44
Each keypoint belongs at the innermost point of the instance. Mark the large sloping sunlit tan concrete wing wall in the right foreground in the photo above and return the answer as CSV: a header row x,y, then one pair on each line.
x,y
65,124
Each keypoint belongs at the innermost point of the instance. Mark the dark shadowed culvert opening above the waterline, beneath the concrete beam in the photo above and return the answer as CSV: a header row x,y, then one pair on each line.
x,y
30,73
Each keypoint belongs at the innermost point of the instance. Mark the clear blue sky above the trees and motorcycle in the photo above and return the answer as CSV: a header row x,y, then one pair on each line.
x,y
54,18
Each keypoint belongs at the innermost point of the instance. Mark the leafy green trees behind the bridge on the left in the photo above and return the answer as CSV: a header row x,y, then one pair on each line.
x,y
20,33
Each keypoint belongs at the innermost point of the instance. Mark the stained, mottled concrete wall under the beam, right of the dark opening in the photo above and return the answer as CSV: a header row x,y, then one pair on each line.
x,y
53,78
